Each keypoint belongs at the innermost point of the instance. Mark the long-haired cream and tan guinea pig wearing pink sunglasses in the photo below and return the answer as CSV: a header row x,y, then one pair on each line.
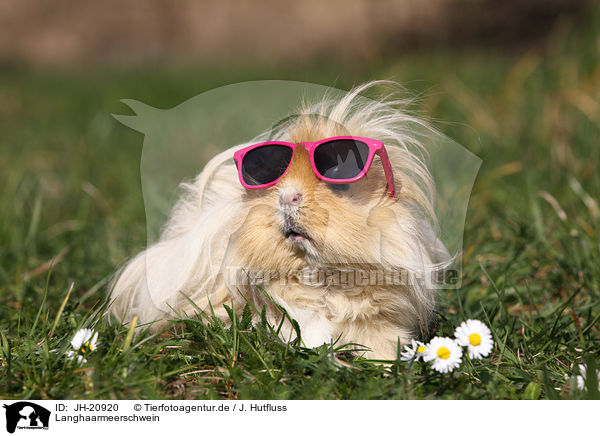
x,y
328,216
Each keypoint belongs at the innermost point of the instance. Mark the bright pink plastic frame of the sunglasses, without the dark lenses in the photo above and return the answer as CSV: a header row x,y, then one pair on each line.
x,y
375,148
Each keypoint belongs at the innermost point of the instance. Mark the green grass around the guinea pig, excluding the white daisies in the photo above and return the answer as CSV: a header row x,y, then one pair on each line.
x,y
70,191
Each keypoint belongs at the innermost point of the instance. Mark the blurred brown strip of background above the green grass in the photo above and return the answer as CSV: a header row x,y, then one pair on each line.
x,y
111,32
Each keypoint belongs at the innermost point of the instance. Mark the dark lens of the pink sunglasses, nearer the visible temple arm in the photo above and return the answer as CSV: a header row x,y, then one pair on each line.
x,y
341,159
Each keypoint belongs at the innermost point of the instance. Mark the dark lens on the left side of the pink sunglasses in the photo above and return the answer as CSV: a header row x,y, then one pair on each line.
x,y
265,164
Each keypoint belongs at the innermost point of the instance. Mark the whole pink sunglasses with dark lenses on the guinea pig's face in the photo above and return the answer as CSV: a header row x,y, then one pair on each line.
x,y
341,159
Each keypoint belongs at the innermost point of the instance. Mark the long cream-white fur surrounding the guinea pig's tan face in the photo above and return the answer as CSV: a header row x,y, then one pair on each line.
x,y
188,260
